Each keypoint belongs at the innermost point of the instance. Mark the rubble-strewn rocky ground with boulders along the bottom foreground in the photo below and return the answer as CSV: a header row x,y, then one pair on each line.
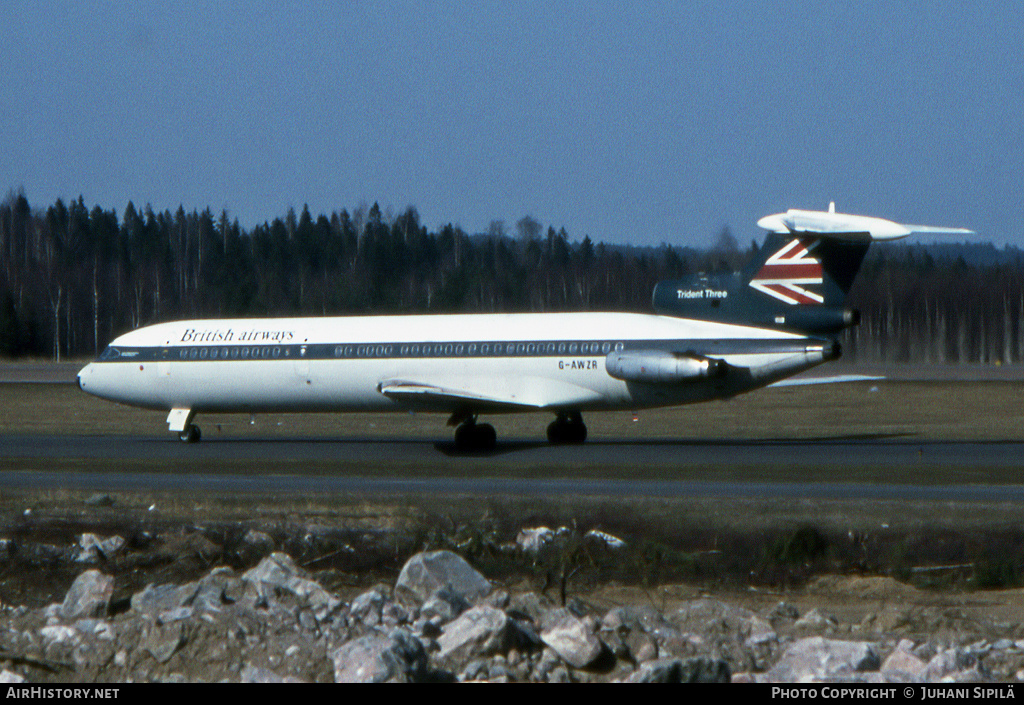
x,y
442,620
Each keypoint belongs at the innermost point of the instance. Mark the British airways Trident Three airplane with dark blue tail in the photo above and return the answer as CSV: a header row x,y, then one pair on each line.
x,y
711,338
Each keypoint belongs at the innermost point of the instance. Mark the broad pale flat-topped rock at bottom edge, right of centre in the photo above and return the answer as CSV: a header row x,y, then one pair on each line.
x,y
819,659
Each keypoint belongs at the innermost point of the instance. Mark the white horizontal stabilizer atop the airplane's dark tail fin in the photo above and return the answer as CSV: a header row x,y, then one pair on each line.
x,y
846,227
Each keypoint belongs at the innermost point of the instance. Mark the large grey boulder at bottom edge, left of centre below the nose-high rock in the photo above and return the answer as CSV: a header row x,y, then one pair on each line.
x,y
398,657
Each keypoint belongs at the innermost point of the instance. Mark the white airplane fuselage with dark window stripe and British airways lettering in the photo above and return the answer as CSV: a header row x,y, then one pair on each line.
x,y
482,363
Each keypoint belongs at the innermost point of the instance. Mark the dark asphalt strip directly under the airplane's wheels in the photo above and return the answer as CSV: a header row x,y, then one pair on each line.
x,y
621,453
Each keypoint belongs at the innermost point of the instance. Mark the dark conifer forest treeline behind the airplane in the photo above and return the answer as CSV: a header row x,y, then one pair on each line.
x,y
75,278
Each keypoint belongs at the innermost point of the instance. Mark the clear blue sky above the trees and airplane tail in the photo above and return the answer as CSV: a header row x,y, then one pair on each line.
x,y
650,123
